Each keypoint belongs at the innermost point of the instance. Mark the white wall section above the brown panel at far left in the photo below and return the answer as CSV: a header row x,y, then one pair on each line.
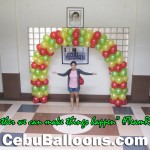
x,y
8,37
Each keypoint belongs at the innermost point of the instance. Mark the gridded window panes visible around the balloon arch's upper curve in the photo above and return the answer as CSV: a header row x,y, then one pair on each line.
x,y
119,34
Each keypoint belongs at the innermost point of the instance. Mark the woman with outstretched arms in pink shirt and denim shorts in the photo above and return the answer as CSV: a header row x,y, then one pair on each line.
x,y
73,82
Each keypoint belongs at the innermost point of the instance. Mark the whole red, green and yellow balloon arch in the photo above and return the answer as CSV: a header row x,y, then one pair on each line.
x,y
79,37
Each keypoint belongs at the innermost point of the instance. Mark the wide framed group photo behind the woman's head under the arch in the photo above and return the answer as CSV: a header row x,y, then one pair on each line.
x,y
79,54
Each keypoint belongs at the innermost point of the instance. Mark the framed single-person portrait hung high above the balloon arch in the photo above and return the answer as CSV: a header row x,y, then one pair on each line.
x,y
75,17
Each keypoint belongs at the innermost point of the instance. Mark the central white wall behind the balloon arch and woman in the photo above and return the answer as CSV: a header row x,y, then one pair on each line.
x,y
114,13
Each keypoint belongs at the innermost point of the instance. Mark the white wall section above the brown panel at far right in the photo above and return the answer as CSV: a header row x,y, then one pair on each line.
x,y
142,39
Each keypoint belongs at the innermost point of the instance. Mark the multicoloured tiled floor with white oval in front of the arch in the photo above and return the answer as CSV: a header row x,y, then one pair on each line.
x,y
51,111
